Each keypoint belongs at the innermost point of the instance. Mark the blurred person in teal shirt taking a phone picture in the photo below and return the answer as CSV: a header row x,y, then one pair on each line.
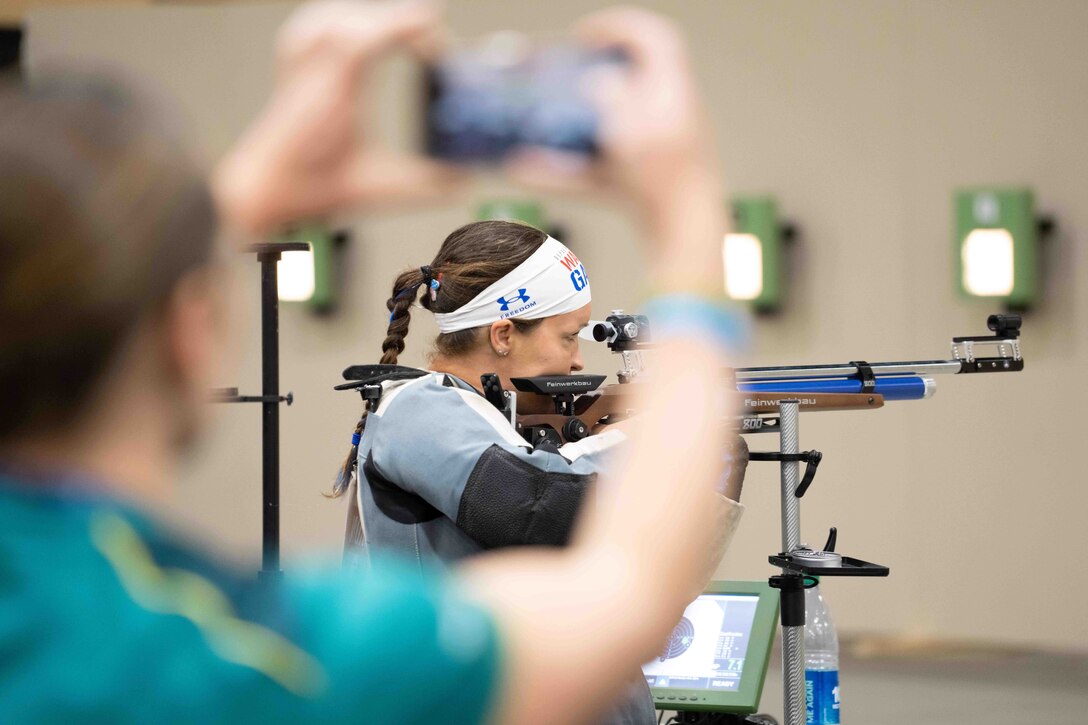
x,y
112,322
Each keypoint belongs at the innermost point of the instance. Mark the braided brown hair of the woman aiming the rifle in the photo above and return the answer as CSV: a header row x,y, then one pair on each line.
x,y
472,260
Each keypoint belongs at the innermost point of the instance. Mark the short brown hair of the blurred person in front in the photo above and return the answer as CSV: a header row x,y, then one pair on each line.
x,y
103,214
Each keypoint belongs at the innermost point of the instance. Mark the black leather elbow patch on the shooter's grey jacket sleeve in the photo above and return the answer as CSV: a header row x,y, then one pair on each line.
x,y
511,502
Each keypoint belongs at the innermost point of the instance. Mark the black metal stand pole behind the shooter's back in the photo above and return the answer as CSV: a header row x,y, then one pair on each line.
x,y
270,399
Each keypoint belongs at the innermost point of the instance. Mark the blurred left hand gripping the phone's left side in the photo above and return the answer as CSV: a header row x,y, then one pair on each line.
x,y
311,151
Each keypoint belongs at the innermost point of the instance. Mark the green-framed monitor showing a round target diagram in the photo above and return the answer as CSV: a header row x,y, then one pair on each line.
x,y
716,658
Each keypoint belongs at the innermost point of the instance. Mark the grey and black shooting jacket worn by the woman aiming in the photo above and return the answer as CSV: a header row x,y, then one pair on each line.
x,y
443,475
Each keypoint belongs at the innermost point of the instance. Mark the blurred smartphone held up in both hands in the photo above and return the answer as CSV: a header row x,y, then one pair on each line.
x,y
503,93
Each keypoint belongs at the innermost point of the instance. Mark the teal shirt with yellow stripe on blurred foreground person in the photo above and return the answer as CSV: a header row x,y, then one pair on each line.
x,y
106,618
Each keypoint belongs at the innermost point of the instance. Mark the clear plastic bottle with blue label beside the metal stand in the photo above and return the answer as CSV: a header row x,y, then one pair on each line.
x,y
822,662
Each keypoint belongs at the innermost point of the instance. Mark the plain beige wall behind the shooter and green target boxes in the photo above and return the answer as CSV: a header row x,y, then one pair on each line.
x,y
861,118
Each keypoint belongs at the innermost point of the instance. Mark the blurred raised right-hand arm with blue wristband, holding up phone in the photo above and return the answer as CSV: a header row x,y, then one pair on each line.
x,y
576,623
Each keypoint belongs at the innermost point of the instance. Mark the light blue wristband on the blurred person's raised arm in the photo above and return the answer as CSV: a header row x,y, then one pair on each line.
x,y
690,316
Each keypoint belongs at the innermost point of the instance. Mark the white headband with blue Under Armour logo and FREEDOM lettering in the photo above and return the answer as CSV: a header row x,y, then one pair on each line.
x,y
551,282
